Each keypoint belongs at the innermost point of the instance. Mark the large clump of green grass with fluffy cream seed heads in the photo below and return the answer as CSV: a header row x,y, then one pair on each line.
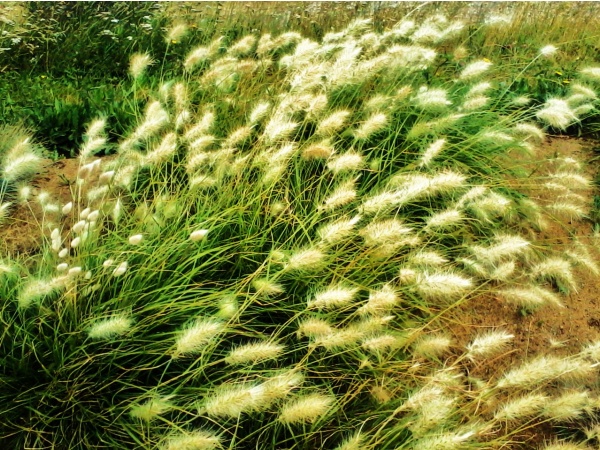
x,y
267,256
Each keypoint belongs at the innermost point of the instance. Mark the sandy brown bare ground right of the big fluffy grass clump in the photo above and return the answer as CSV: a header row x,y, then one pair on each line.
x,y
576,324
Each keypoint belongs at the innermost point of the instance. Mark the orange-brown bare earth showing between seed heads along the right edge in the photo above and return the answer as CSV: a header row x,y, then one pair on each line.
x,y
550,329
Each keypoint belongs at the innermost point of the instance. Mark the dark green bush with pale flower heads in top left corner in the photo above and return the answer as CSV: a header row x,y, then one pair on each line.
x,y
94,37
